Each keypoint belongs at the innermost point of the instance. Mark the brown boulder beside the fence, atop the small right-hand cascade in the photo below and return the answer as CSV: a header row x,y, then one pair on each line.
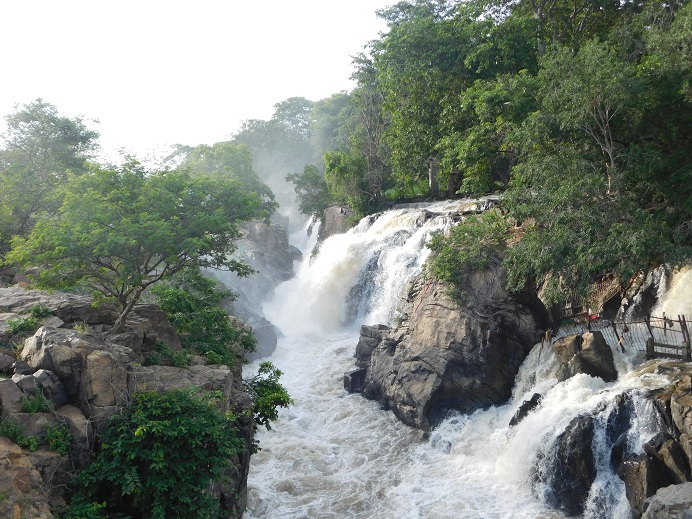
x,y
588,353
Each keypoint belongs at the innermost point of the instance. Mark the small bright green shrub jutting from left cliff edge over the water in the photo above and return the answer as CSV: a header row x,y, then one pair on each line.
x,y
268,395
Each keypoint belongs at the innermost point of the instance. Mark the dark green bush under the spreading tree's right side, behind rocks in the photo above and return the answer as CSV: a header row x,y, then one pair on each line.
x,y
193,305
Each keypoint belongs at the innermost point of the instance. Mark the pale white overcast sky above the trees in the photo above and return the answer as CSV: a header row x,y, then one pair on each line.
x,y
155,73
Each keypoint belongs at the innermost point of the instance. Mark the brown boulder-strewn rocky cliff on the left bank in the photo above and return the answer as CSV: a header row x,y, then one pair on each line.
x,y
87,375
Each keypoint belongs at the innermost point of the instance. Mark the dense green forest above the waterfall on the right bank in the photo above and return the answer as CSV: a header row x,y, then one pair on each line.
x,y
579,112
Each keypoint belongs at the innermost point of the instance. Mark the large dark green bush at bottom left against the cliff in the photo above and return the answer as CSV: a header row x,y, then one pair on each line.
x,y
159,456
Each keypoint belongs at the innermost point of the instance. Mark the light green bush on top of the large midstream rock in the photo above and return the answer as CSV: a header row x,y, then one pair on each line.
x,y
466,248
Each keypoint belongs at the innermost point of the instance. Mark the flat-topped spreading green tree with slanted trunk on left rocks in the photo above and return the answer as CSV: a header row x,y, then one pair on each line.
x,y
120,231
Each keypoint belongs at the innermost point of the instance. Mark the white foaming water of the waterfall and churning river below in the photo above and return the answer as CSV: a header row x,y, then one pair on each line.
x,y
337,455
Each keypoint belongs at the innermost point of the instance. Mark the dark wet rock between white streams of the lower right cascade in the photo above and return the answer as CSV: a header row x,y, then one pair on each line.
x,y
572,468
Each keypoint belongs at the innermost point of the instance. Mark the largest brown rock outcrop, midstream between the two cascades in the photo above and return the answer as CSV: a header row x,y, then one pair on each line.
x,y
445,356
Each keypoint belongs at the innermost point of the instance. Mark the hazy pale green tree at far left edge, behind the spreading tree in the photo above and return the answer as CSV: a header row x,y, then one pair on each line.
x,y
40,147
